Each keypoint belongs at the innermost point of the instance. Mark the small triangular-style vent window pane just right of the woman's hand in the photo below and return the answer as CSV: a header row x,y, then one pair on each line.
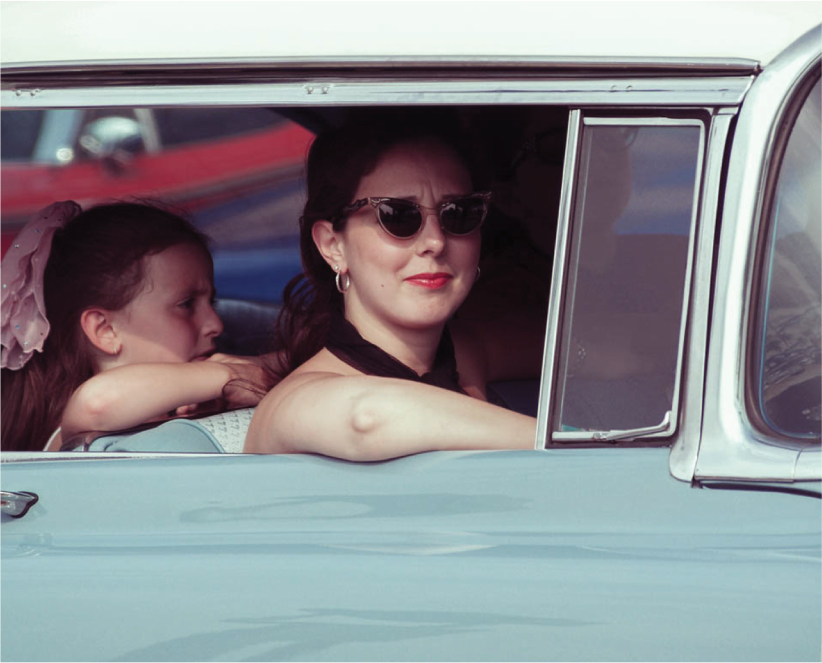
x,y
629,260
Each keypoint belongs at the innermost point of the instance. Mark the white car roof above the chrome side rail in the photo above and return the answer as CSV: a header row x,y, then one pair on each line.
x,y
42,32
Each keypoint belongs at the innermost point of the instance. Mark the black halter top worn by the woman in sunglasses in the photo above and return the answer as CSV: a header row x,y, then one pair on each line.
x,y
345,343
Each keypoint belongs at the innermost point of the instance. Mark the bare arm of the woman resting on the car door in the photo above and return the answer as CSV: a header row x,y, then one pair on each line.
x,y
366,418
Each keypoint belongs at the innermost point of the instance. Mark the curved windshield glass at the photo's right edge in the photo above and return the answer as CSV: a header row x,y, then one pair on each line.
x,y
788,358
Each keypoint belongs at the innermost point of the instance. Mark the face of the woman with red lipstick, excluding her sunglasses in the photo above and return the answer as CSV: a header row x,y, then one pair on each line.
x,y
409,283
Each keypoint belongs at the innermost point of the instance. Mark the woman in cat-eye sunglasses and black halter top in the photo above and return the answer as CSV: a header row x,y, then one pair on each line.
x,y
391,244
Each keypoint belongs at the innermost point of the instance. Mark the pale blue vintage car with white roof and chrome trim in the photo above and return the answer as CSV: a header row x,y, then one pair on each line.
x,y
657,203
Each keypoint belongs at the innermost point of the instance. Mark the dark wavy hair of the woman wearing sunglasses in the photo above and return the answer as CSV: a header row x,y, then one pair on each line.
x,y
337,161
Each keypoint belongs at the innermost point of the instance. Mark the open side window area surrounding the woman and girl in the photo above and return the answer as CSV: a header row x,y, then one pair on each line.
x,y
238,174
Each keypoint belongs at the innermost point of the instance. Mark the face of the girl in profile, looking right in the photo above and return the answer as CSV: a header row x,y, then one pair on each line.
x,y
172,318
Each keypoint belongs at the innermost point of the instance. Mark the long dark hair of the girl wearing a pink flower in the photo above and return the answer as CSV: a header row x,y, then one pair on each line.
x,y
96,259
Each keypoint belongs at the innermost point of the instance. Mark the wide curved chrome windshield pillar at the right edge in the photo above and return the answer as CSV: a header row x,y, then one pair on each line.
x,y
731,446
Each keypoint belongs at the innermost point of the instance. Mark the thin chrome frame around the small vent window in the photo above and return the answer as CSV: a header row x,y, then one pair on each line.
x,y
668,426
